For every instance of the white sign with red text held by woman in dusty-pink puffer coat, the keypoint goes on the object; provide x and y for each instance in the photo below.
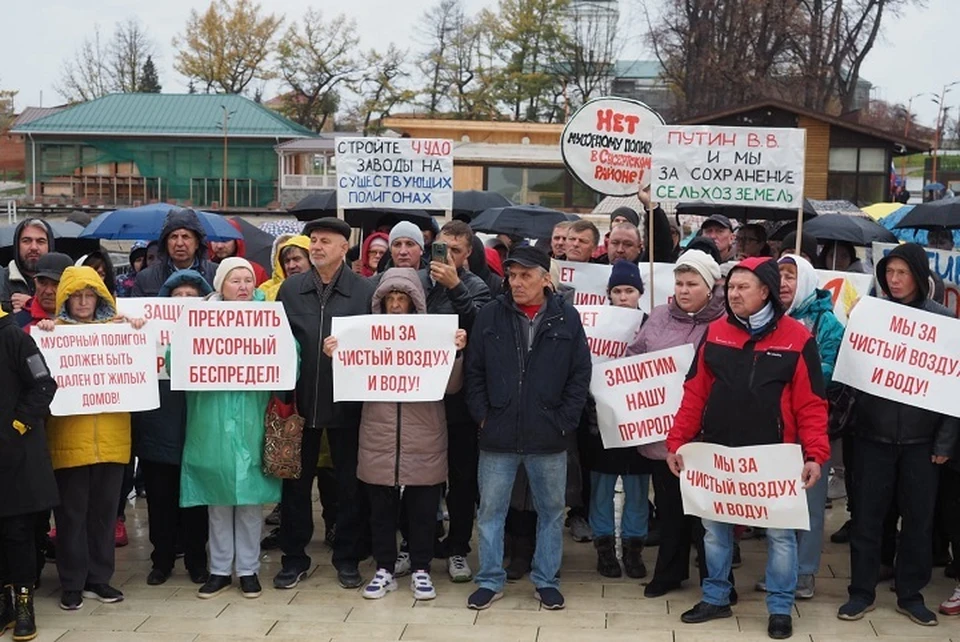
(393, 357)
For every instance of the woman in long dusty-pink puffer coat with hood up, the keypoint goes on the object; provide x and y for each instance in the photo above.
(403, 445)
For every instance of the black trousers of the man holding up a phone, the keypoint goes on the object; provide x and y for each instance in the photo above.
(463, 456)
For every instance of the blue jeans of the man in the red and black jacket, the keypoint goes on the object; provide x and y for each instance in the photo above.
(781, 577)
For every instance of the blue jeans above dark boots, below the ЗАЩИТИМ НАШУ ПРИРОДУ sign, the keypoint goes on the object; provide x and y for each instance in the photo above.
(636, 507)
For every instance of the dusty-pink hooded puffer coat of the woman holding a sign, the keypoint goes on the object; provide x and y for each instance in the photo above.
(405, 444)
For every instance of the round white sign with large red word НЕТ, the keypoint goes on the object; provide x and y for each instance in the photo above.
(606, 145)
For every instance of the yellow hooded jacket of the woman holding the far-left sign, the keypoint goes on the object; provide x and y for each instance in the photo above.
(83, 440)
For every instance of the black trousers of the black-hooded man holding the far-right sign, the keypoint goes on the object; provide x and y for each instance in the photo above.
(907, 474)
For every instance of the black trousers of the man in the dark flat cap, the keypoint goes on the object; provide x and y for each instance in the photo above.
(296, 506)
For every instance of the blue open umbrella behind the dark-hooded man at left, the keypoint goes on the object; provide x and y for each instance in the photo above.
(145, 222)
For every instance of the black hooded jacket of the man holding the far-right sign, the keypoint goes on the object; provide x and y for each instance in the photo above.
(890, 422)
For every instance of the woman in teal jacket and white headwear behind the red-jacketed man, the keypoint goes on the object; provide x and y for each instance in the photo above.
(814, 309)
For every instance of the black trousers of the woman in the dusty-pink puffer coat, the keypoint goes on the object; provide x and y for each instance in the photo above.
(421, 504)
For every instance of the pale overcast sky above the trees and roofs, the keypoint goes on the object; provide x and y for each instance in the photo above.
(916, 53)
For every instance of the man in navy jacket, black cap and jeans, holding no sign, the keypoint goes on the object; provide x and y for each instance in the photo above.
(528, 373)
